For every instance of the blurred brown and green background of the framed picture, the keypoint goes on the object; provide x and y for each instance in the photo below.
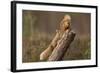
(39, 28)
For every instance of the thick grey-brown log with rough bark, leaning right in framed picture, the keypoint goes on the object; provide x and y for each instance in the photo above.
(62, 46)
